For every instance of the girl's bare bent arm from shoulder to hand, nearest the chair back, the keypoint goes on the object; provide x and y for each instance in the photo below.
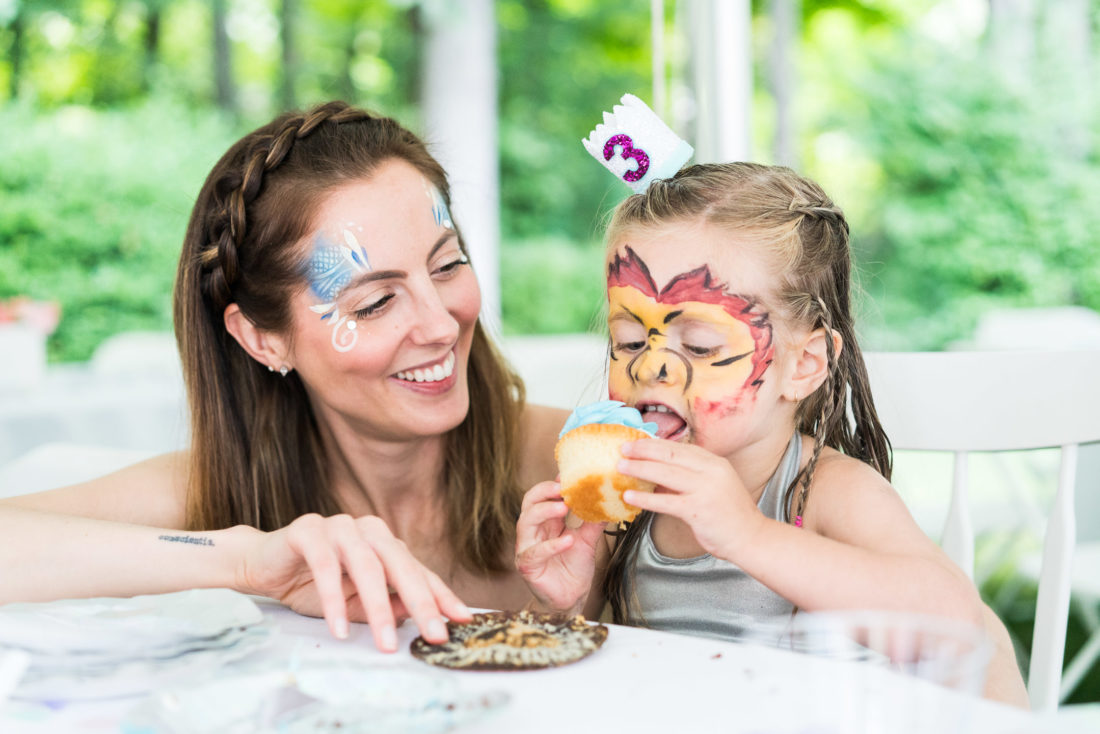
(860, 546)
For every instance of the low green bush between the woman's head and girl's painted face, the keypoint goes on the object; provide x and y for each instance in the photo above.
(552, 287)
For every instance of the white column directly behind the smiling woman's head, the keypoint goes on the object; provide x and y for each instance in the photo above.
(460, 115)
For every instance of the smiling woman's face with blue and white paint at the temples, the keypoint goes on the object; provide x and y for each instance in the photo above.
(381, 336)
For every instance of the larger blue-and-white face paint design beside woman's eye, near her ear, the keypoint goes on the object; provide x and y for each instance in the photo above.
(337, 260)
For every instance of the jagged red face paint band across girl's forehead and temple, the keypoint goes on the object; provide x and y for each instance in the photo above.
(699, 287)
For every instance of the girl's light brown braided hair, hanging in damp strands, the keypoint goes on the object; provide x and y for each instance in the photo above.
(806, 236)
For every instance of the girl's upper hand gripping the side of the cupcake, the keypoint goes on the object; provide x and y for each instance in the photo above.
(697, 487)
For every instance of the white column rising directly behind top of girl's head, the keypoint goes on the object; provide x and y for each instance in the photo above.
(722, 68)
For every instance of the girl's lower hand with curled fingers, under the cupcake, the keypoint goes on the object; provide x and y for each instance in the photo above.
(557, 562)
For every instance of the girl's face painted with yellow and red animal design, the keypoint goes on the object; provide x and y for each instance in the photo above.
(692, 338)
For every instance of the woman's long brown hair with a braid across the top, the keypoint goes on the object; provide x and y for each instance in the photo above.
(258, 457)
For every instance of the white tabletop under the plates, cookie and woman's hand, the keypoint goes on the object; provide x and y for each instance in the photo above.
(640, 682)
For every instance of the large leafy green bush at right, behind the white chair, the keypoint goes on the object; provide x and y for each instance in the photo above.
(982, 202)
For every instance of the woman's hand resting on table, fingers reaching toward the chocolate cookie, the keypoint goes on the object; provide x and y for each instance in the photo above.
(344, 568)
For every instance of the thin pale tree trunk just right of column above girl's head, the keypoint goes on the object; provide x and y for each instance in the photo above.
(782, 74)
